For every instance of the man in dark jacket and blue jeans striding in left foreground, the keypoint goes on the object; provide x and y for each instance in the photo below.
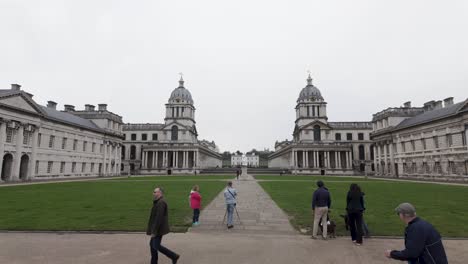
(158, 226)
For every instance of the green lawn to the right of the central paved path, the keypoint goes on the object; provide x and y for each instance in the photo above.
(444, 206)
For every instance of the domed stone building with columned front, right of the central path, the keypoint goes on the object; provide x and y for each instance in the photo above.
(322, 147)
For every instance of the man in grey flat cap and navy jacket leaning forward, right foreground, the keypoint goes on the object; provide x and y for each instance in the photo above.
(423, 243)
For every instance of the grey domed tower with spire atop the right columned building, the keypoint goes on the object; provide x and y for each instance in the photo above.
(310, 105)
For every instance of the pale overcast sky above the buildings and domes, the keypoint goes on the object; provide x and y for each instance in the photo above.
(244, 61)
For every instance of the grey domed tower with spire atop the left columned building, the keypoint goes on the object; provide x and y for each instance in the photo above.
(180, 107)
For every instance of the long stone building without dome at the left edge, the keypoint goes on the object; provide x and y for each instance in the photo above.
(40, 142)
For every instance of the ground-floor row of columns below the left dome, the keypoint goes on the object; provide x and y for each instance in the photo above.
(183, 159)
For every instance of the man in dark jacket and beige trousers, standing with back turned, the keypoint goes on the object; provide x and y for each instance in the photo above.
(321, 202)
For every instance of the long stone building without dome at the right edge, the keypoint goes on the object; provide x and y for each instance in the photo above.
(422, 142)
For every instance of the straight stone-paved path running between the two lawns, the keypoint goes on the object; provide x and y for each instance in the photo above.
(257, 212)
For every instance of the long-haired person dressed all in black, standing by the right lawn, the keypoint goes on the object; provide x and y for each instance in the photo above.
(355, 207)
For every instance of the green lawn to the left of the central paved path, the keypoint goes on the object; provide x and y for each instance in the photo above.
(120, 204)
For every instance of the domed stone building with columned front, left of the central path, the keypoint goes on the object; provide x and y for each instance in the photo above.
(172, 147)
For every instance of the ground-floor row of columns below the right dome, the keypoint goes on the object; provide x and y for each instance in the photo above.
(321, 159)
